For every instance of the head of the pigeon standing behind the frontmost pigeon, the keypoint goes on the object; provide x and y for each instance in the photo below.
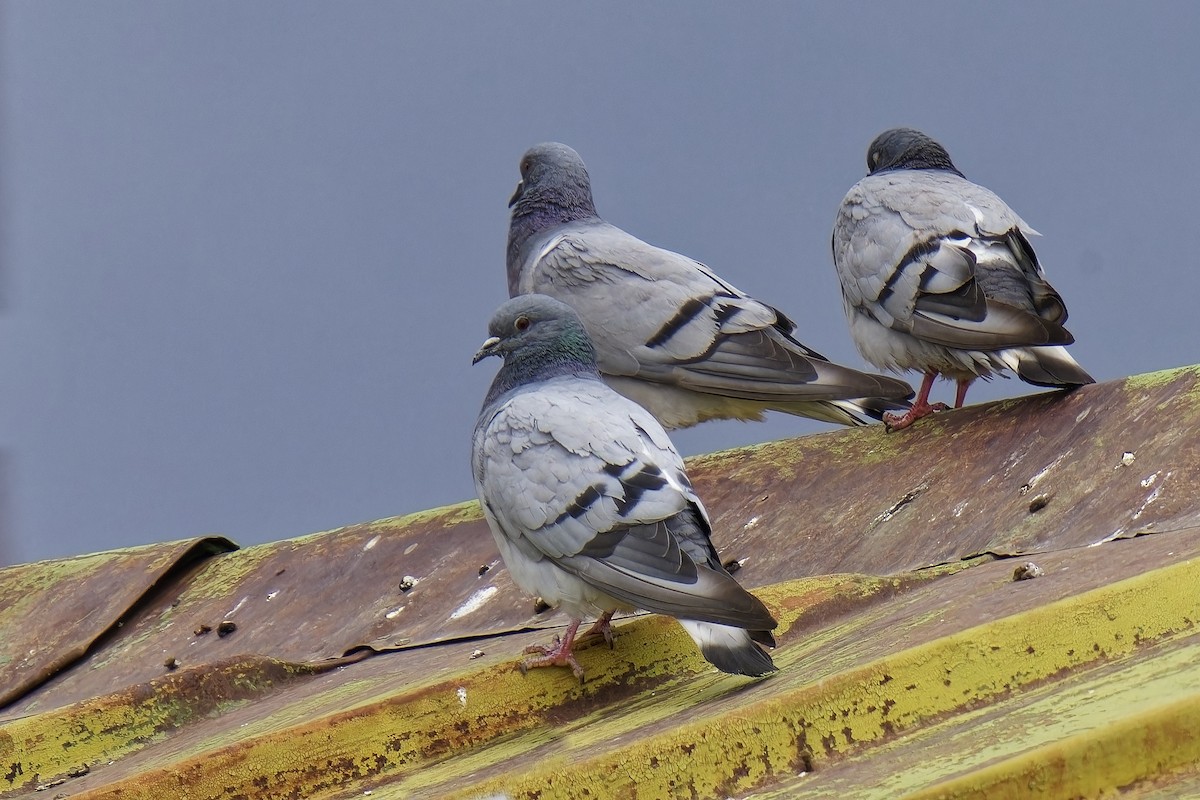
(554, 177)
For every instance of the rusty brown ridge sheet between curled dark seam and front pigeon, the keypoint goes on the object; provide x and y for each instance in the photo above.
(310, 600)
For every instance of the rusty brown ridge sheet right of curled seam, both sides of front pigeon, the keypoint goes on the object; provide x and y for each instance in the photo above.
(845, 502)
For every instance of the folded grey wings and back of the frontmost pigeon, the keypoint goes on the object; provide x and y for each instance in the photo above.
(591, 482)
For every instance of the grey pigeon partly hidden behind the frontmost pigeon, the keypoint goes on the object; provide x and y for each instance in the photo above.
(670, 334)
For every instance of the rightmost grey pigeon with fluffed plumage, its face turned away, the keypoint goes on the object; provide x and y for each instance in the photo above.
(938, 274)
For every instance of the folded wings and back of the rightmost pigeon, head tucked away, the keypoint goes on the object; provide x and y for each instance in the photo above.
(946, 261)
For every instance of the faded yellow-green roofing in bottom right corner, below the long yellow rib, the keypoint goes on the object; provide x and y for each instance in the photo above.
(969, 754)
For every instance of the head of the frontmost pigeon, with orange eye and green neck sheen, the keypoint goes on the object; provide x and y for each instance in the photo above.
(538, 338)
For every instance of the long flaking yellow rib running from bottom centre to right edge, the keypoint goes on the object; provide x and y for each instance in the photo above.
(783, 736)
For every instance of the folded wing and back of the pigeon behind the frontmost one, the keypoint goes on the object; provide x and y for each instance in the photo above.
(663, 317)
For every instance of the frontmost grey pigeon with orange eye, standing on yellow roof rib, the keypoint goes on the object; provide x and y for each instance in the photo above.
(589, 501)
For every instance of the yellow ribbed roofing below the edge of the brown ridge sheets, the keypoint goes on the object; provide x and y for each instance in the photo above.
(866, 663)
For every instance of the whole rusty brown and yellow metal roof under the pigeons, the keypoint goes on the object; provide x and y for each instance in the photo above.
(911, 663)
